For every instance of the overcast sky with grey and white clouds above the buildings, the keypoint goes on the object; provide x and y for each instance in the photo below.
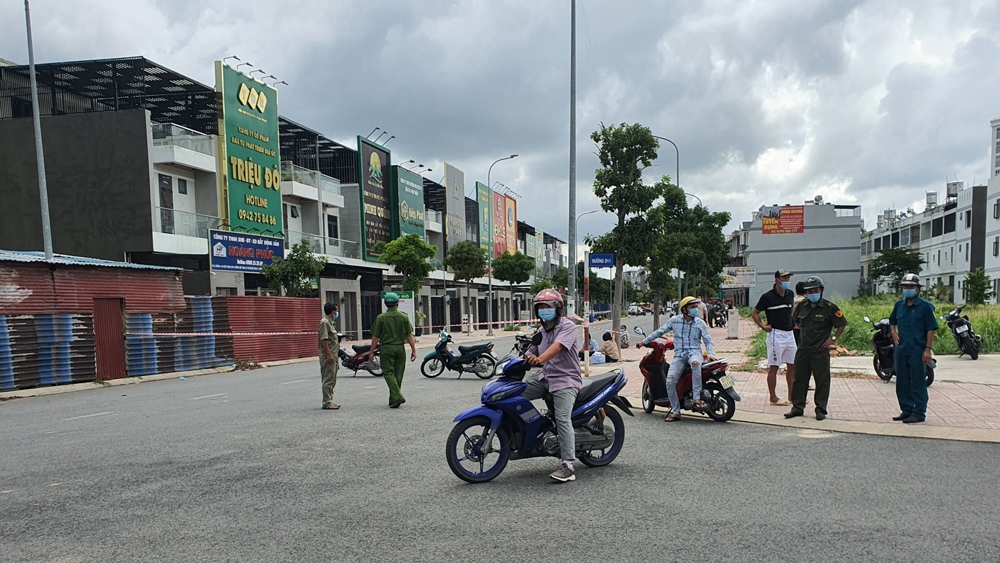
(770, 101)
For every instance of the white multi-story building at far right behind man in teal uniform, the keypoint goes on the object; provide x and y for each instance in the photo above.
(950, 236)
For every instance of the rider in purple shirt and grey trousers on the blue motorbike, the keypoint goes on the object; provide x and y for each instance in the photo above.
(560, 376)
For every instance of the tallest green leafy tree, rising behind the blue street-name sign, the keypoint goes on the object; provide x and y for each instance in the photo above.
(624, 152)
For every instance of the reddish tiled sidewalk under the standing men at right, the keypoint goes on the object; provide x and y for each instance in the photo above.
(964, 396)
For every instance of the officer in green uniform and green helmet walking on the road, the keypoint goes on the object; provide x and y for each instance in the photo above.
(394, 330)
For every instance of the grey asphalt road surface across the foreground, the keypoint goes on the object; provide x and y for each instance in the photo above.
(246, 467)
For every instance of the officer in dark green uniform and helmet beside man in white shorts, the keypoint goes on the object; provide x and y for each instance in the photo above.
(815, 318)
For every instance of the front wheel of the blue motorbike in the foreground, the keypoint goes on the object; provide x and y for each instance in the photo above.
(463, 451)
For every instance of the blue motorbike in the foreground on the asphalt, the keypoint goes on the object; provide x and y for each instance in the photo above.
(507, 426)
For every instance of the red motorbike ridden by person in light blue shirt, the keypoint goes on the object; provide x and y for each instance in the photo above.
(717, 391)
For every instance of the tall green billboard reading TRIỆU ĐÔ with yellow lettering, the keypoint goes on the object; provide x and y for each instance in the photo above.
(248, 152)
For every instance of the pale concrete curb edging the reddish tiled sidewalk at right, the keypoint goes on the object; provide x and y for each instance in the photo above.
(896, 430)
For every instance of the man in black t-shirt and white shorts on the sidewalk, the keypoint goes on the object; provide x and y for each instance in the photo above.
(777, 304)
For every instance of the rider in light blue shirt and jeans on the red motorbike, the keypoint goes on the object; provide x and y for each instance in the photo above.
(689, 333)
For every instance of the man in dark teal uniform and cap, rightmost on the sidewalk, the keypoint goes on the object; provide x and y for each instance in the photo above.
(912, 323)
